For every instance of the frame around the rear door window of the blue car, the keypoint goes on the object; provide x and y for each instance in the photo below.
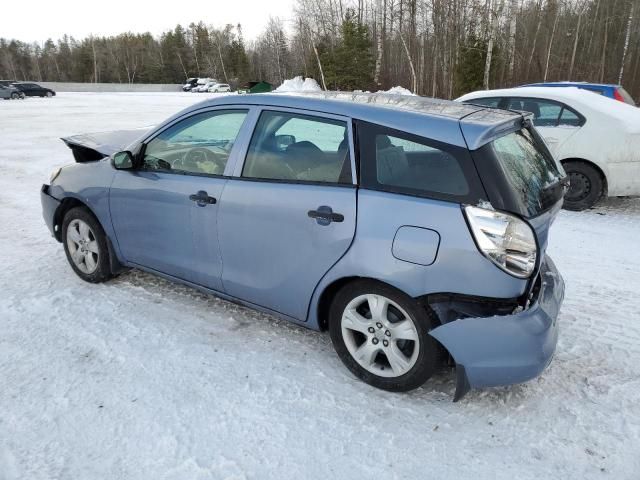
(251, 125)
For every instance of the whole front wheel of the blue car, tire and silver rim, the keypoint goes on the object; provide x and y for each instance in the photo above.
(85, 245)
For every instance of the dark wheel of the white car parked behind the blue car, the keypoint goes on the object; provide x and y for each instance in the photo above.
(587, 186)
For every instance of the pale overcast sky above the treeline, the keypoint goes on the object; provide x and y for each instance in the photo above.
(80, 18)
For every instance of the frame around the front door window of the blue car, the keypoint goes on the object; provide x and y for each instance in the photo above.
(233, 155)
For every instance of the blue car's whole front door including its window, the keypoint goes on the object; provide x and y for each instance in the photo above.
(165, 212)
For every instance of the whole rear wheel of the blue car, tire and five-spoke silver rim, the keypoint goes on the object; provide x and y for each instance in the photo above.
(382, 336)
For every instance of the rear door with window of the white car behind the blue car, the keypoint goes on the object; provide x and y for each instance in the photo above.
(555, 122)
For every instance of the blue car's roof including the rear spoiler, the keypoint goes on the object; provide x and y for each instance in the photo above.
(441, 120)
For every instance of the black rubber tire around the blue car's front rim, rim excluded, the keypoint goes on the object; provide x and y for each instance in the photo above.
(102, 271)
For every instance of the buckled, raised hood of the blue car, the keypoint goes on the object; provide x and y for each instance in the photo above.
(90, 147)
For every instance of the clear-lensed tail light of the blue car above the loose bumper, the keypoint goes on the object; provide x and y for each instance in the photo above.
(504, 239)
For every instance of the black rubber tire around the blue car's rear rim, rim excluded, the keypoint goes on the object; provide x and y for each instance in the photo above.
(428, 357)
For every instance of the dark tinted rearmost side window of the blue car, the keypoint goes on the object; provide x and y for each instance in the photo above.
(403, 163)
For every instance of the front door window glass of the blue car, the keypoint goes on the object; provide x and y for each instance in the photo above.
(200, 144)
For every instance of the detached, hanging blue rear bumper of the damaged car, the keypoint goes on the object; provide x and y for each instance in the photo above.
(506, 349)
